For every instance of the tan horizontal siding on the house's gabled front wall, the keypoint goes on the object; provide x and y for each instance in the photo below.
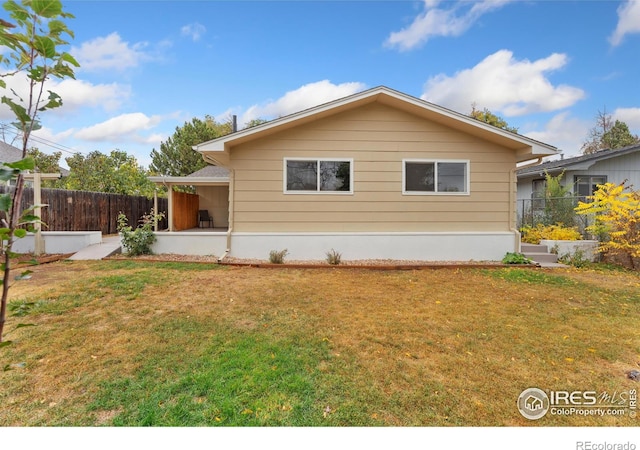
(377, 138)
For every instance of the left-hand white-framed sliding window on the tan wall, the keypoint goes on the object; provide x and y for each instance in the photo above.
(318, 176)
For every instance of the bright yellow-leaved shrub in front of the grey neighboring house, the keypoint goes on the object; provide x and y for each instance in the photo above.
(616, 209)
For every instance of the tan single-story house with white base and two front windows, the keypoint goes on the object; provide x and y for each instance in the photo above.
(376, 175)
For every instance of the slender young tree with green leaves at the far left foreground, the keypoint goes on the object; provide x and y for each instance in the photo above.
(32, 37)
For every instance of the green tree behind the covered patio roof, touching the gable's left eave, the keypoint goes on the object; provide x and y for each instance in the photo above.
(176, 156)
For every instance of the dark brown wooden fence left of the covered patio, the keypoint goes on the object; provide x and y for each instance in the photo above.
(90, 211)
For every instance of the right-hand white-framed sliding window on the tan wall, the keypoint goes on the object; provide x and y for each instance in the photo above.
(435, 177)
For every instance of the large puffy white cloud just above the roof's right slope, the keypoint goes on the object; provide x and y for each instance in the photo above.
(504, 84)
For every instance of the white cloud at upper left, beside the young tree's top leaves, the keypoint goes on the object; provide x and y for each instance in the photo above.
(109, 53)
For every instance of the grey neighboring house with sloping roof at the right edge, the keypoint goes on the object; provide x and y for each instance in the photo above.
(583, 173)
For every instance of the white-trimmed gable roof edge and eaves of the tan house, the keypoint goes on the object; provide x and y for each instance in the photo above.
(216, 151)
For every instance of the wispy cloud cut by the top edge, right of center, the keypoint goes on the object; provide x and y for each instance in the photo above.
(434, 21)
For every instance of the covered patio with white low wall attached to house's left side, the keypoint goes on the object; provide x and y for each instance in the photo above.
(186, 233)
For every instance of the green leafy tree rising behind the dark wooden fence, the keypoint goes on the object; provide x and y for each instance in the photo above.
(117, 173)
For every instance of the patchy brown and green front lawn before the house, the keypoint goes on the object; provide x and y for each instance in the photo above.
(131, 343)
